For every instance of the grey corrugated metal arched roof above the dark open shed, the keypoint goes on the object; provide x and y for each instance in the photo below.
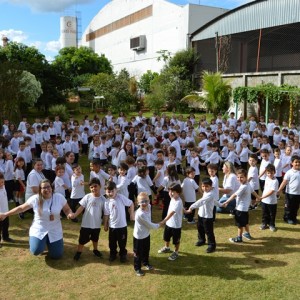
(255, 15)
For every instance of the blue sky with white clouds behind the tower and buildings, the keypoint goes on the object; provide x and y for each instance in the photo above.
(36, 22)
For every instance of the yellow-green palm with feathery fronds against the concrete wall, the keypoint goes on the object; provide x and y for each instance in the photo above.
(218, 92)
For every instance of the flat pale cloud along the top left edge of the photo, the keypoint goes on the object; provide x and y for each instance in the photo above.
(49, 5)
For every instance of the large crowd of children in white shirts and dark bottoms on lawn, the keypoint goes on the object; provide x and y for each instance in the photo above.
(144, 157)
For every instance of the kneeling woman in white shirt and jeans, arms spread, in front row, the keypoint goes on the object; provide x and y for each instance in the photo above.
(46, 228)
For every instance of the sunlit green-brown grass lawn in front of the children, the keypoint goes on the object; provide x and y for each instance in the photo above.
(267, 267)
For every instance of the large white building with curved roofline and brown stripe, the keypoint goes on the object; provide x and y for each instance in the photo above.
(131, 32)
